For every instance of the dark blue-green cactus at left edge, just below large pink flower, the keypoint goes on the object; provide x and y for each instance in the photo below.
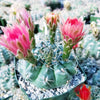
(5, 56)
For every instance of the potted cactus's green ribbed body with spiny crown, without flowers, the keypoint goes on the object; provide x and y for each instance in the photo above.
(51, 71)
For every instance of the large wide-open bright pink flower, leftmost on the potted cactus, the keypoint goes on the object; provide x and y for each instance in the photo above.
(16, 38)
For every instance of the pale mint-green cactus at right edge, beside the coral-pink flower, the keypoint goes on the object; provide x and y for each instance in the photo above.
(92, 46)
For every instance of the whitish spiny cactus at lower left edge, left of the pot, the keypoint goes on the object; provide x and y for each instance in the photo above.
(7, 77)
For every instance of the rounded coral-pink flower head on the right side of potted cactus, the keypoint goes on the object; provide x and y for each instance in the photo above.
(72, 29)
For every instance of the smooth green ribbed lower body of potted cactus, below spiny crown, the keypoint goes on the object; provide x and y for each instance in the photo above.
(47, 77)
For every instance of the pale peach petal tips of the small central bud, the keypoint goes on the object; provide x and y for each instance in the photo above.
(52, 17)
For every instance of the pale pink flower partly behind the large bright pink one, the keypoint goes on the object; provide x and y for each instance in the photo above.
(23, 15)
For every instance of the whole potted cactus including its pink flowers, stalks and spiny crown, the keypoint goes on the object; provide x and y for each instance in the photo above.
(43, 65)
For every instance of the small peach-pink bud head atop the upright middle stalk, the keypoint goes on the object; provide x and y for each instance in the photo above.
(52, 19)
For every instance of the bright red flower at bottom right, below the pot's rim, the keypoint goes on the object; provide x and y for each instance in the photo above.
(84, 93)
